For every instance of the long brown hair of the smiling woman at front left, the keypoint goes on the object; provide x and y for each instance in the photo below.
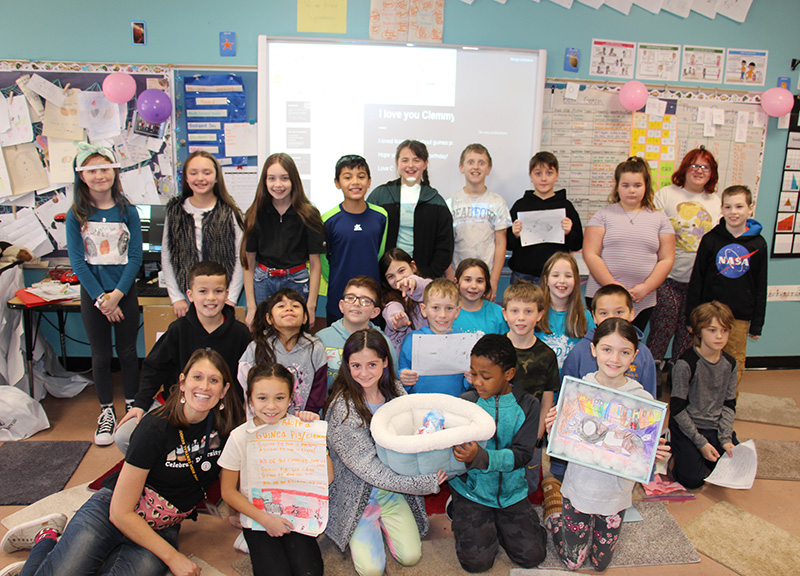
(225, 419)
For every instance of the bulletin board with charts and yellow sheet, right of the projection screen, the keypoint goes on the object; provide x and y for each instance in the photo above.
(591, 134)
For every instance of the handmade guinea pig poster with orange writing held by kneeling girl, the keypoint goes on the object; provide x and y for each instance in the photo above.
(287, 473)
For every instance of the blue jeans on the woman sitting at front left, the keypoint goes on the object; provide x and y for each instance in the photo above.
(91, 544)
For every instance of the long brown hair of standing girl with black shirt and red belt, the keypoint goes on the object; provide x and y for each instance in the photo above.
(305, 209)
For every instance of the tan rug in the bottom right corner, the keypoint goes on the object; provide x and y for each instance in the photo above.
(743, 542)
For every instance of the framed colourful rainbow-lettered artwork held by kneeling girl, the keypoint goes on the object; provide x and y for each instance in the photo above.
(602, 428)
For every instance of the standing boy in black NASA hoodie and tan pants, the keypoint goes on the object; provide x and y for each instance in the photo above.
(731, 267)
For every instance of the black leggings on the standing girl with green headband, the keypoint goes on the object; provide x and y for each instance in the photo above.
(126, 333)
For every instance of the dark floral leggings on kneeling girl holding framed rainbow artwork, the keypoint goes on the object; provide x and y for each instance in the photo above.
(572, 531)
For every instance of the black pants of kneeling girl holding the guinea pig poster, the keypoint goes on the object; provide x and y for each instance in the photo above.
(292, 554)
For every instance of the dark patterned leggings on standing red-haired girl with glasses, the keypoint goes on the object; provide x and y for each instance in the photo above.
(669, 319)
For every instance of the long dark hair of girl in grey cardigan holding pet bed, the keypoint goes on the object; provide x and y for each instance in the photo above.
(349, 390)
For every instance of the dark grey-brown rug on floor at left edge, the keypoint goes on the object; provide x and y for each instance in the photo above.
(29, 471)
